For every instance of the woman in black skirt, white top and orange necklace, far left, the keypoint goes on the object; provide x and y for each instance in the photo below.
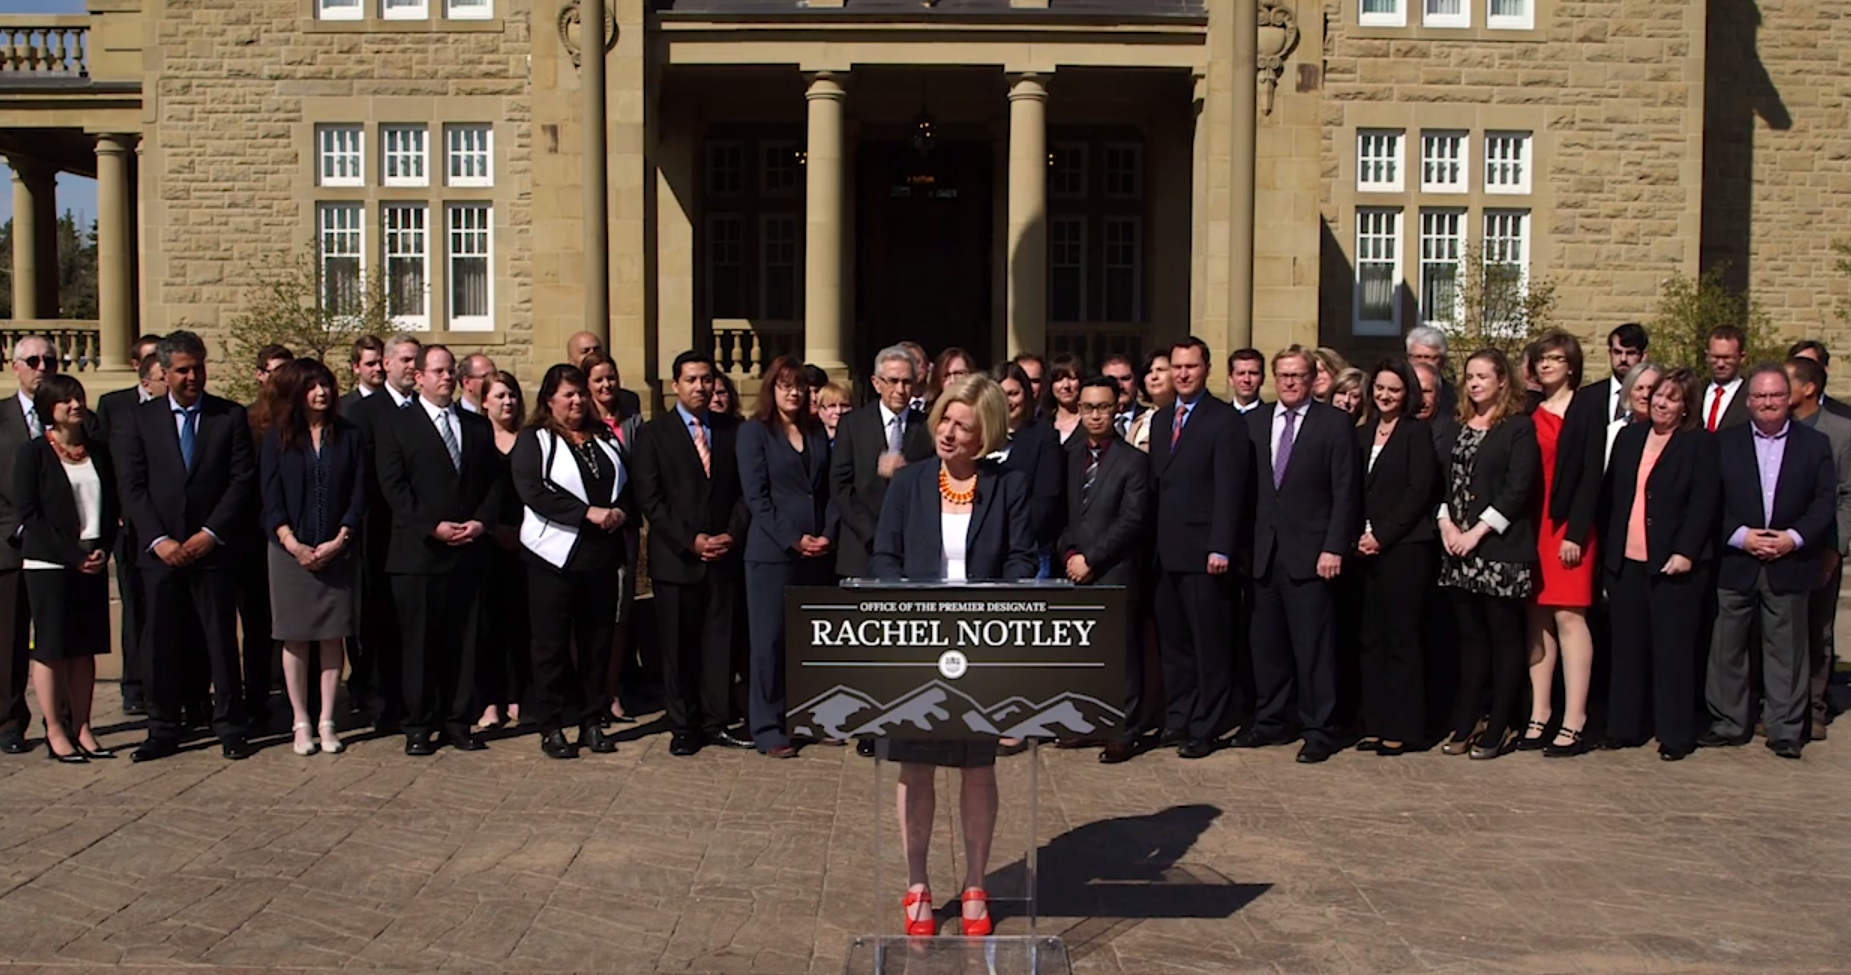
(68, 504)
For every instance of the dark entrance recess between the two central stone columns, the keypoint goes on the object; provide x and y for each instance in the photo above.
(923, 247)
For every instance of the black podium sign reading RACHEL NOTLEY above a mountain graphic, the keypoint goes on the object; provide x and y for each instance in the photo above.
(956, 661)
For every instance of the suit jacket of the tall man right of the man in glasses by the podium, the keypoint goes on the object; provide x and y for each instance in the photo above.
(1202, 487)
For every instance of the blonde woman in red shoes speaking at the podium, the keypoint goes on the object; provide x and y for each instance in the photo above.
(962, 519)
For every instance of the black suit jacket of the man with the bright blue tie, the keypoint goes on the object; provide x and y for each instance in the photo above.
(166, 499)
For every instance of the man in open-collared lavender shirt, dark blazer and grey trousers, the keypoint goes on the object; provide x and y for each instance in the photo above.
(1778, 525)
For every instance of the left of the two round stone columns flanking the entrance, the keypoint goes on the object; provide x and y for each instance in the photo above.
(826, 341)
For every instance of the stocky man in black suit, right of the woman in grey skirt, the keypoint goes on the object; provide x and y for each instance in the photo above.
(443, 480)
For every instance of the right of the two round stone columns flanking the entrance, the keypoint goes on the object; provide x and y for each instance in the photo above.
(1028, 214)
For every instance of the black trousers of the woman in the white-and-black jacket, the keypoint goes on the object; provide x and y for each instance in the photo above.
(565, 608)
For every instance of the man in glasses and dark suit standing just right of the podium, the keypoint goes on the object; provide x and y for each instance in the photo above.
(1108, 517)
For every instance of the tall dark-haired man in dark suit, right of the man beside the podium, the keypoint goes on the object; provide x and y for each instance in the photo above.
(1204, 469)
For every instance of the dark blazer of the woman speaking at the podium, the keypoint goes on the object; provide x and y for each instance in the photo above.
(910, 541)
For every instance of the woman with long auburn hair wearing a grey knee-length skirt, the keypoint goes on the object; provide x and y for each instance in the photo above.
(314, 476)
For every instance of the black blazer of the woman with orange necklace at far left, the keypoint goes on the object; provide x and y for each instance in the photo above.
(49, 519)
